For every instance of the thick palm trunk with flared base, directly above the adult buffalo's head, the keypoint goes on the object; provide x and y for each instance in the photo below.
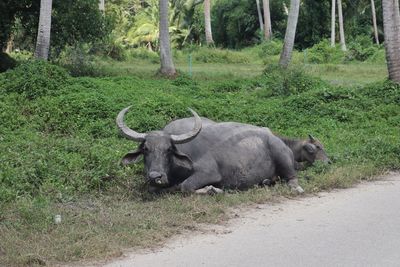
(167, 65)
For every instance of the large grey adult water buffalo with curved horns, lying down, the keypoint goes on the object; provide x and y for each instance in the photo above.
(224, 155)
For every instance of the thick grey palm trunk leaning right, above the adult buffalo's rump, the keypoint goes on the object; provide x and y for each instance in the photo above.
(290, 34)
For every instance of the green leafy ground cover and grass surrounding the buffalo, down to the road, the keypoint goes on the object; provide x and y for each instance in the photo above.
(60, 148)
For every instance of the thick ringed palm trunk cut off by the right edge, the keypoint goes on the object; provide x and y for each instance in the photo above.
(391, 28)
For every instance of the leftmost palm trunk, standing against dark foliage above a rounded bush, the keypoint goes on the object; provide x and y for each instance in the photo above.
(43, 37)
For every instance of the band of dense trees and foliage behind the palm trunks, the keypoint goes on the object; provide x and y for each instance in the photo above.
(134, 23)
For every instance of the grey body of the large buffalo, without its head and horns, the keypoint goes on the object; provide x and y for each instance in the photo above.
(234, 155)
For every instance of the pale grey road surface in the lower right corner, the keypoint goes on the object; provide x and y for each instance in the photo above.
(352, 227)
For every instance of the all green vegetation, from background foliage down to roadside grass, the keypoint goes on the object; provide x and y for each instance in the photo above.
(61, 151)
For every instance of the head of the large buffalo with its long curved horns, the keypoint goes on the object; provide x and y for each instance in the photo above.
(162, 159)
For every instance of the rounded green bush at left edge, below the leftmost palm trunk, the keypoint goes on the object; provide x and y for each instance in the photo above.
(34, 79)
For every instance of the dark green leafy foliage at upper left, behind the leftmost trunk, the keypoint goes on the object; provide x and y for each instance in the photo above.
(72, 23)
